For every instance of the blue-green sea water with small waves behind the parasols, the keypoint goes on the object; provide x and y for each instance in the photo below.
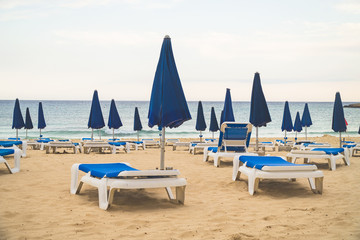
(68, 119)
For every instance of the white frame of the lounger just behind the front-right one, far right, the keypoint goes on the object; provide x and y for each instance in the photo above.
(308, 154)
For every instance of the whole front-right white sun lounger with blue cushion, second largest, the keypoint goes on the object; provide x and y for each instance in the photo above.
(272, 167)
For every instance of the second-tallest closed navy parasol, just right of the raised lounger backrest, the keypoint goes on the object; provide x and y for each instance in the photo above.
(259, 112)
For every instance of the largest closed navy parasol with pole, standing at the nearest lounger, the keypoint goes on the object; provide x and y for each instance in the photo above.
(168, 106)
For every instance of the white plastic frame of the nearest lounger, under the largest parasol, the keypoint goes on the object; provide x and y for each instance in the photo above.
(132, 180)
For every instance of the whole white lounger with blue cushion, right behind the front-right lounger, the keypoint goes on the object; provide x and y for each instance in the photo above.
(332, 154)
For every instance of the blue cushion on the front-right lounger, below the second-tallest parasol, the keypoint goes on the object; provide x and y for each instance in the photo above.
(259, 162)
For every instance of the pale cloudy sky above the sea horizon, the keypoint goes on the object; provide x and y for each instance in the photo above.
(304, 50)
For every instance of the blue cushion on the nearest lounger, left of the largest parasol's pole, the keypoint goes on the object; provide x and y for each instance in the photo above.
(105, 169)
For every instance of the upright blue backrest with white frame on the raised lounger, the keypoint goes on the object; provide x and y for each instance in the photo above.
(235, 136)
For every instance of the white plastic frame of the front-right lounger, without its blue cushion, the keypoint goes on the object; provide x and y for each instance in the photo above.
(314, 176)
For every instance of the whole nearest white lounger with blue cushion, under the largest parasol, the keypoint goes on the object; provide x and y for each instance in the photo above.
(116, 176)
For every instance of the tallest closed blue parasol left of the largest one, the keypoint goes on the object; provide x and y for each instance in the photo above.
(96, 119)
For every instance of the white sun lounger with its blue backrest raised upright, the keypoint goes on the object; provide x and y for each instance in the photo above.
(234, 140)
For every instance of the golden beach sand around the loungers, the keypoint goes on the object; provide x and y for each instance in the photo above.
(36, 202)
